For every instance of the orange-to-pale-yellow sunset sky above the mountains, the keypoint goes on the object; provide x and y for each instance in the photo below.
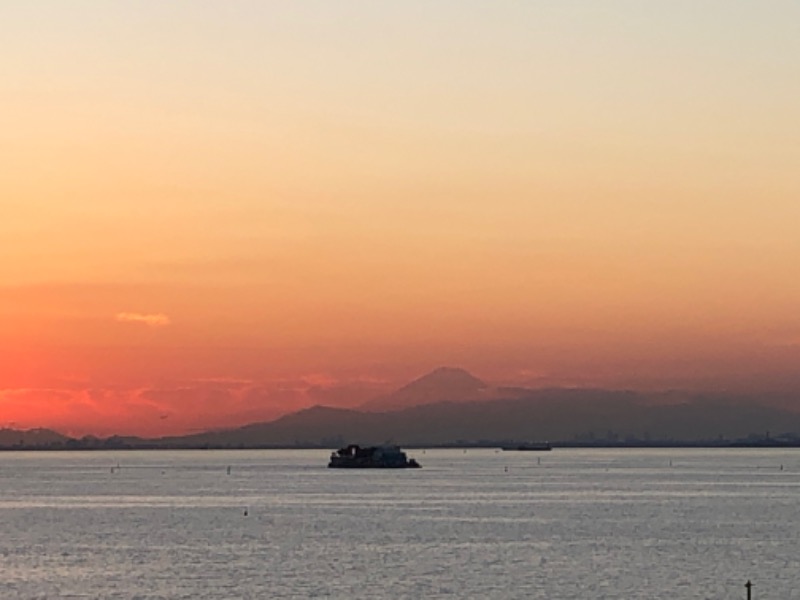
(214, 213)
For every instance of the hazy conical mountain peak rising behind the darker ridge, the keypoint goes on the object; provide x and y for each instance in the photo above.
(445, 384)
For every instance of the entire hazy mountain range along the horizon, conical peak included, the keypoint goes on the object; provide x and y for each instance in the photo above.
(449, 406)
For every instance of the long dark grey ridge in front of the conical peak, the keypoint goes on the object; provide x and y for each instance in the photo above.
(558, 415)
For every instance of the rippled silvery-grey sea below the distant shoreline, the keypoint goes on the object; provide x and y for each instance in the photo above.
(475, 523)
